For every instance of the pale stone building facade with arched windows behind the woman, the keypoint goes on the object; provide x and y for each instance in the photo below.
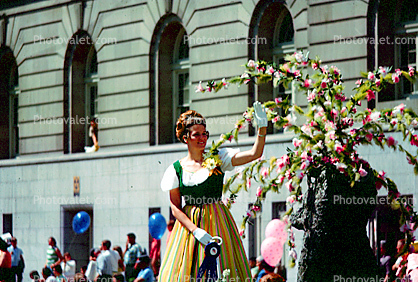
(133, 65)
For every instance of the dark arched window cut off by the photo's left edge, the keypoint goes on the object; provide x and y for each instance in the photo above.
(9, 105)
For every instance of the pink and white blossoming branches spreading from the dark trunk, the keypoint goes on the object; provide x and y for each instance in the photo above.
(333, 129)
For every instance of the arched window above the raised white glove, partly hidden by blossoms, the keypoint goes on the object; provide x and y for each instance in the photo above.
(272, 33)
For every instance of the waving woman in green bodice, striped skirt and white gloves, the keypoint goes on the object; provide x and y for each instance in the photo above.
(204, 214)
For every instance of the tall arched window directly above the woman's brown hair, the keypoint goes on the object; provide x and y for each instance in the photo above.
(169, 78)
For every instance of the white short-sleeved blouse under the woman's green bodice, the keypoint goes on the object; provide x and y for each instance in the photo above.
(170, 180)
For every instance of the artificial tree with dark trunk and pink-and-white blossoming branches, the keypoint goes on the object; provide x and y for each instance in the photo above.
(324, 152)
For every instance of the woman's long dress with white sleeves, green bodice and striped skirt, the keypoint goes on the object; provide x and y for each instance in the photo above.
(202, 194)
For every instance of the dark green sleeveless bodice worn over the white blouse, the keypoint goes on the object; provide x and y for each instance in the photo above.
(207, 192)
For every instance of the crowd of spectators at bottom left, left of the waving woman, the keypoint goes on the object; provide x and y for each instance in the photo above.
(106, 264)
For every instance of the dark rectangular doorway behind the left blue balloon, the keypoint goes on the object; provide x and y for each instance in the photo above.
(78, 245)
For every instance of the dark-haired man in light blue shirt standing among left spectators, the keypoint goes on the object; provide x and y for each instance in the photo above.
(132, 252)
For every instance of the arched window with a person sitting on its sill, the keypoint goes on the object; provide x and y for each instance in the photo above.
(80, 92)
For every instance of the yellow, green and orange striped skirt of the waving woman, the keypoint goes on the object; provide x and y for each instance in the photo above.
(184, 254)
